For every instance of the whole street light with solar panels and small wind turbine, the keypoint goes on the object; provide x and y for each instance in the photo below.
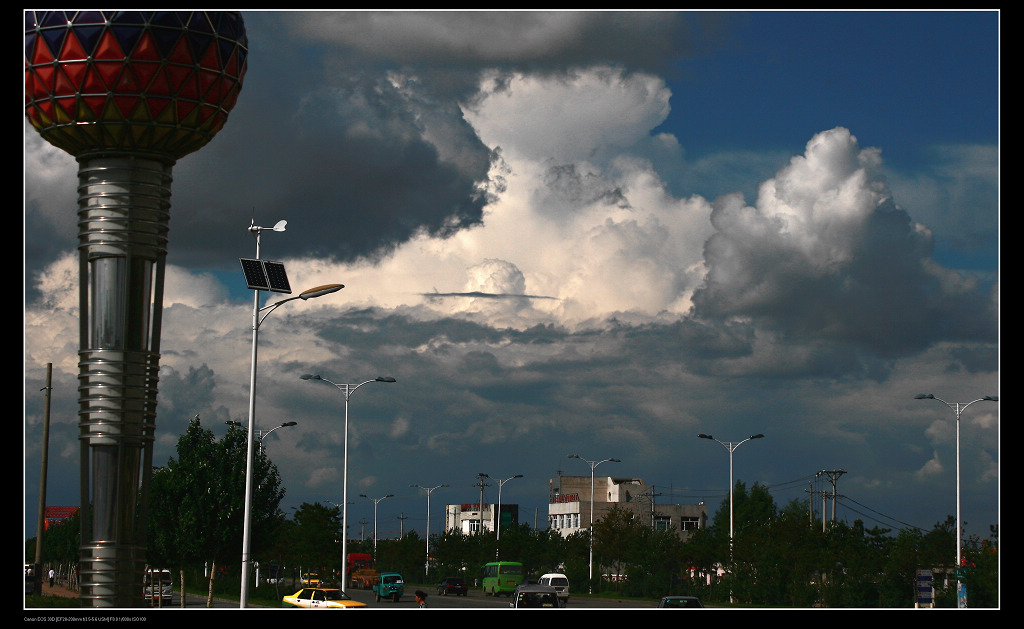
(264, 276)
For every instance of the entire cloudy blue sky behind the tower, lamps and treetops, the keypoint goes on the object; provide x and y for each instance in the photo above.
(595, 234)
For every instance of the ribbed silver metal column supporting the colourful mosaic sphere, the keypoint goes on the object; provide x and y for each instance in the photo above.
(124, 204)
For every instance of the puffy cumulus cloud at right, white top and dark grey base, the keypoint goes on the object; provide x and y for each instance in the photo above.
(827, 254)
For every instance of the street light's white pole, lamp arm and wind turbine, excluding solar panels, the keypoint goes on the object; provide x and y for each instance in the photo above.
(258, 320)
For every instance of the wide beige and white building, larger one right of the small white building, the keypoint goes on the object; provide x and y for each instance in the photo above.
(570, 506)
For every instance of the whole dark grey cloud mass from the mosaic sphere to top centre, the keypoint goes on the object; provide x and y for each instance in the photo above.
(359, 159)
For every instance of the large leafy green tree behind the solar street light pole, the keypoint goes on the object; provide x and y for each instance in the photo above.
(198, 501)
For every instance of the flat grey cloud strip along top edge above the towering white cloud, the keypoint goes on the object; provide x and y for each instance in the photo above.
(464, 43)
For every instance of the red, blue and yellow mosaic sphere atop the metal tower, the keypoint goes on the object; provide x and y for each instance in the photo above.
(159, 82)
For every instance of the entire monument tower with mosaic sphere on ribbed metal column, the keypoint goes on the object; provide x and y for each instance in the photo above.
(127, 94)
